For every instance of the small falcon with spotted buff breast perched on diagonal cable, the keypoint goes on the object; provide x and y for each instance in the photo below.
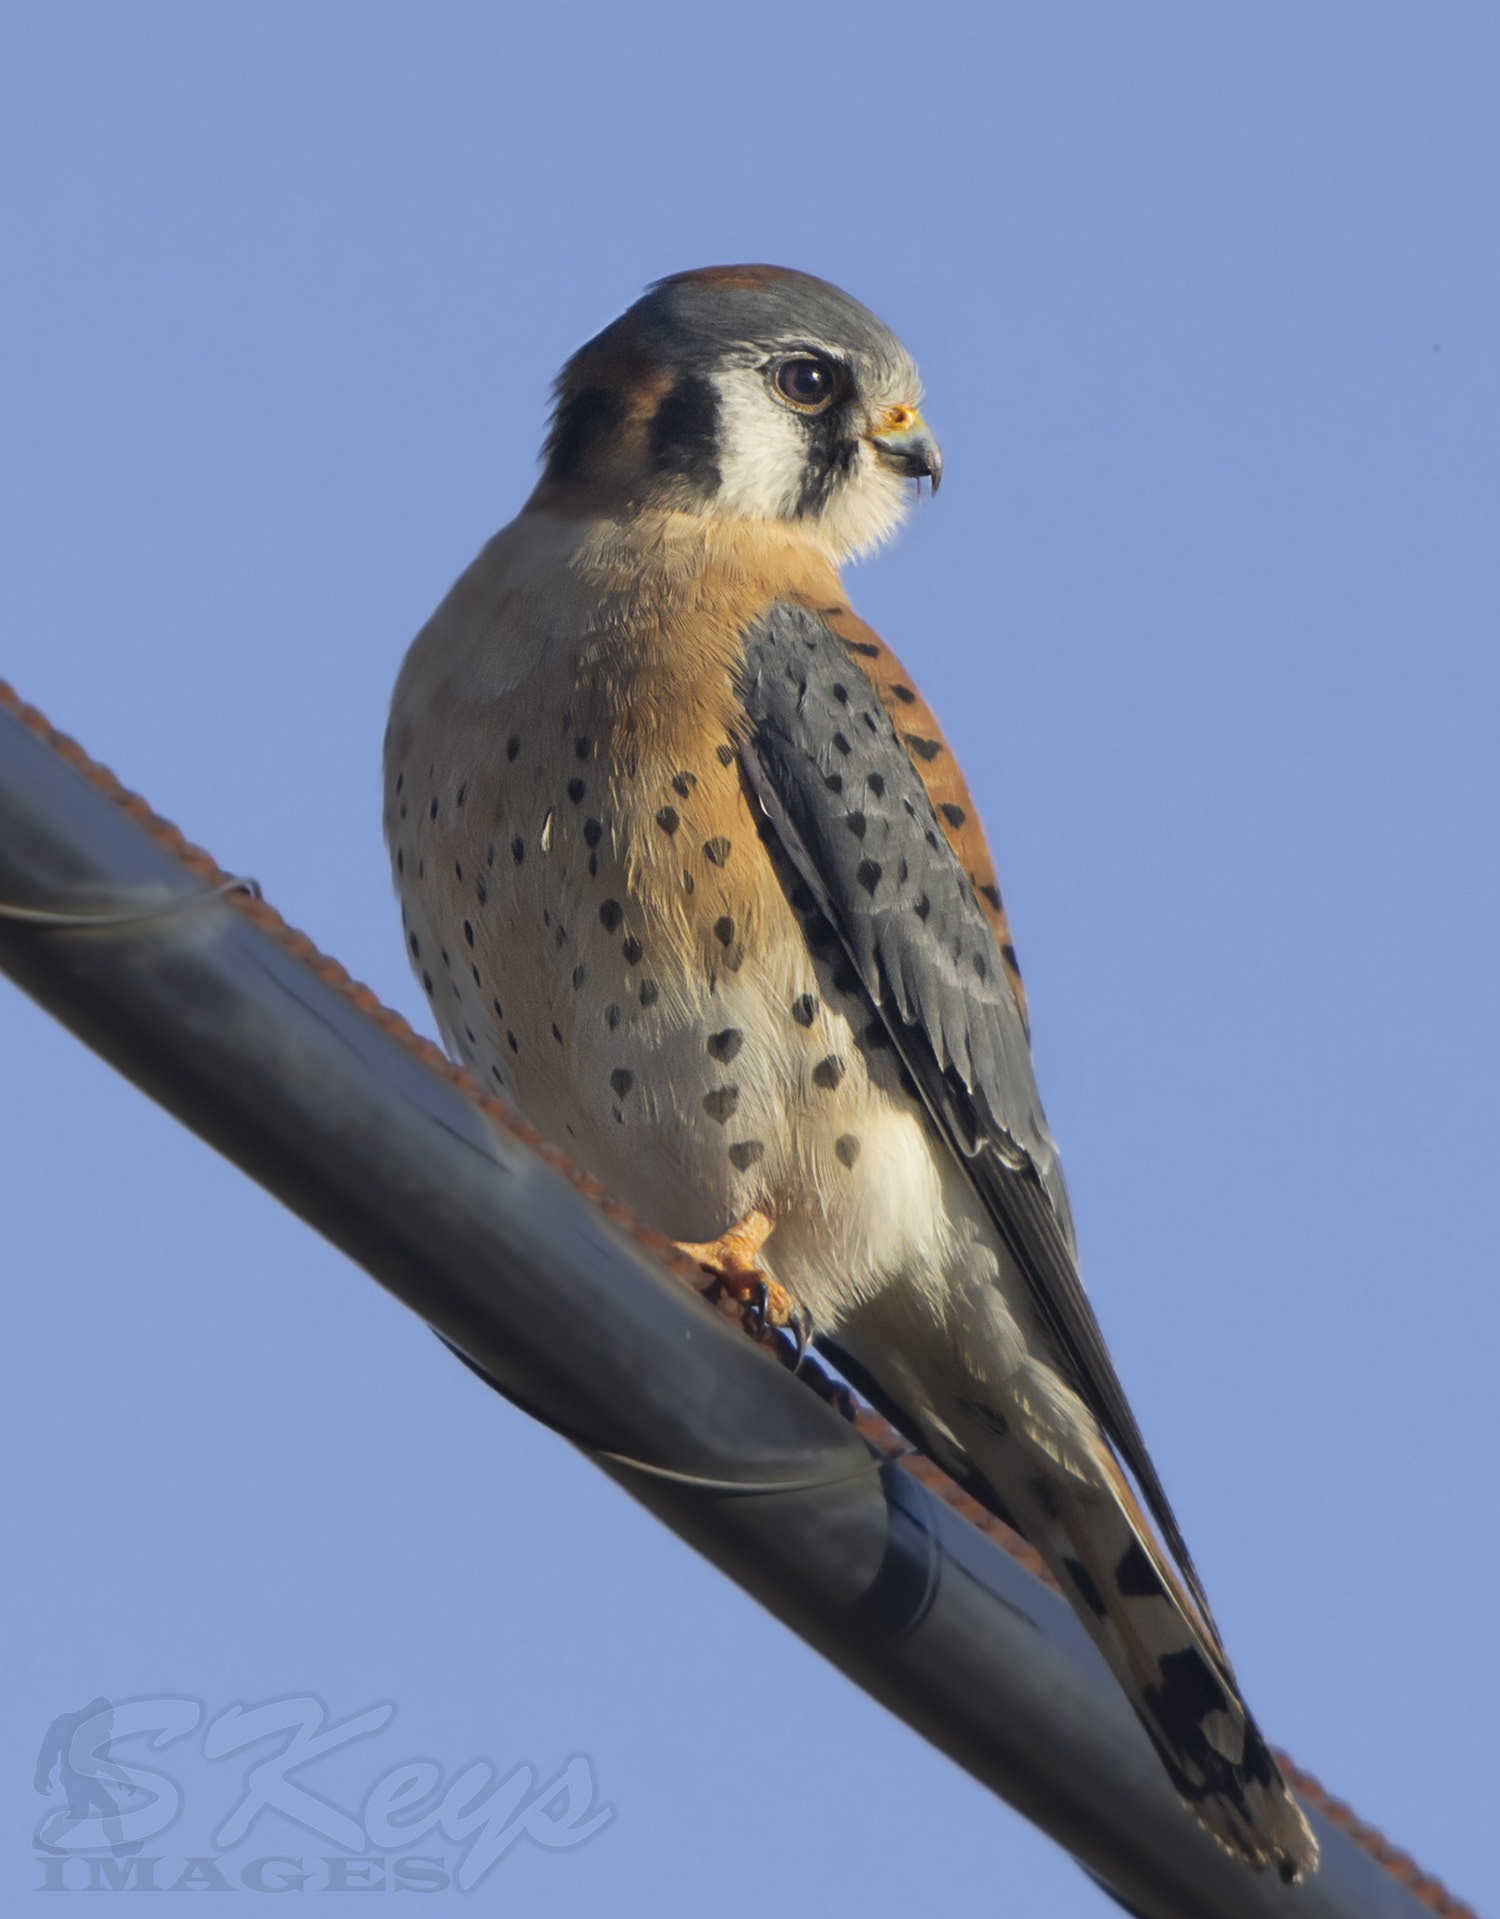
(690, 874)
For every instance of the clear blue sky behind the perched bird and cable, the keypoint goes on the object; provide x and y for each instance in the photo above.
(1209, 312)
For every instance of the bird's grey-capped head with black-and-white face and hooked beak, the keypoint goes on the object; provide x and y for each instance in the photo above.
(745, 394)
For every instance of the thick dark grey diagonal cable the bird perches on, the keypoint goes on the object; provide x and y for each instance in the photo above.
(229, 1020)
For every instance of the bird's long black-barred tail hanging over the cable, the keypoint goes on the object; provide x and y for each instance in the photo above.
(1161, 1647)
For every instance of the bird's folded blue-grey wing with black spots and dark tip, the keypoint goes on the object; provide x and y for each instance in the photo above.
(855, 820)
